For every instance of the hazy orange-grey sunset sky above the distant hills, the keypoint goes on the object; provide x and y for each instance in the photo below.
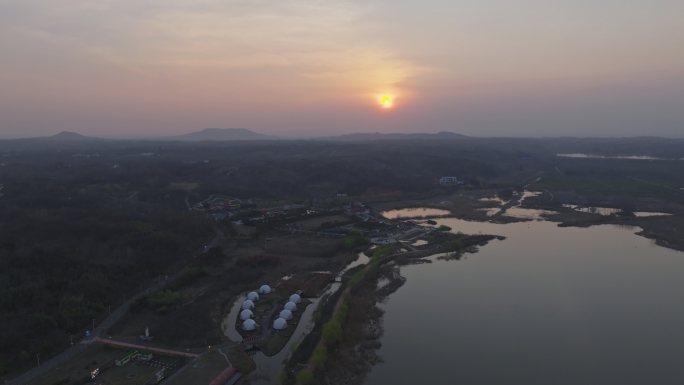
(309, 68)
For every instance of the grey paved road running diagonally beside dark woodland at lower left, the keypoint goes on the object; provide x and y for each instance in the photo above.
(36, 372)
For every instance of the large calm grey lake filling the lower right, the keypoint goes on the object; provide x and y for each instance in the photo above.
(548, 305)
